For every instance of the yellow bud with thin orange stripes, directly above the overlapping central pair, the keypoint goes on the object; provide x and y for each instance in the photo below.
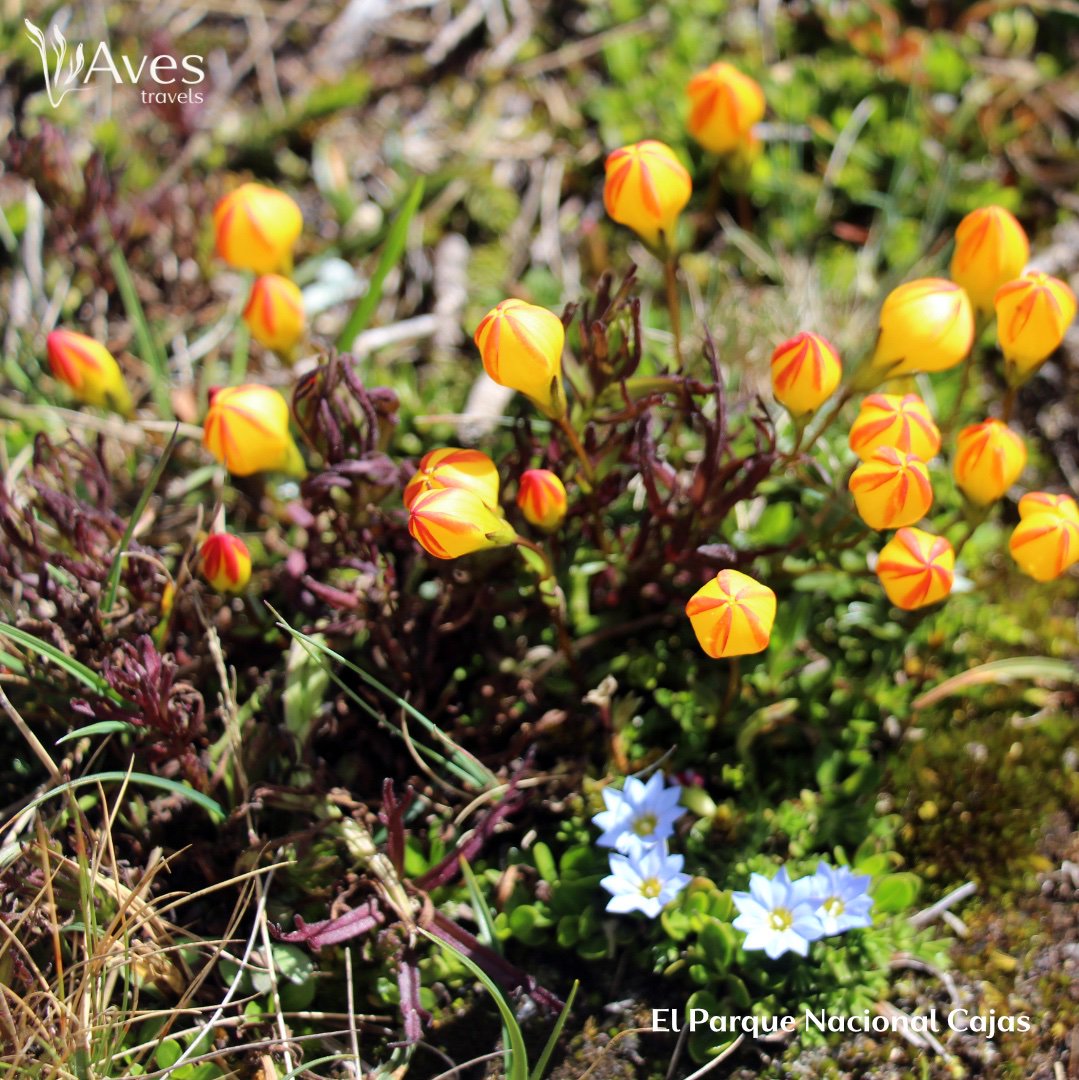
(522, 346)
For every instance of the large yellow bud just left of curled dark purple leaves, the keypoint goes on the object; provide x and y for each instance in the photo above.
(247, 429)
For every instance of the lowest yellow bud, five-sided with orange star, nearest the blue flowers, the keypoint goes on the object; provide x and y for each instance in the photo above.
(733, 615)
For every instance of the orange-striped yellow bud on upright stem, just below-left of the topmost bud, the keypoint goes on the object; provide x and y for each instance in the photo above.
(646, 190)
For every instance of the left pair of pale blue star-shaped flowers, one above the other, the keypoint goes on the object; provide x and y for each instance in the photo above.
(638, 825)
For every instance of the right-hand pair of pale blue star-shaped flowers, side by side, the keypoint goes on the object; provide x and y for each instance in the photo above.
(784, 916)
